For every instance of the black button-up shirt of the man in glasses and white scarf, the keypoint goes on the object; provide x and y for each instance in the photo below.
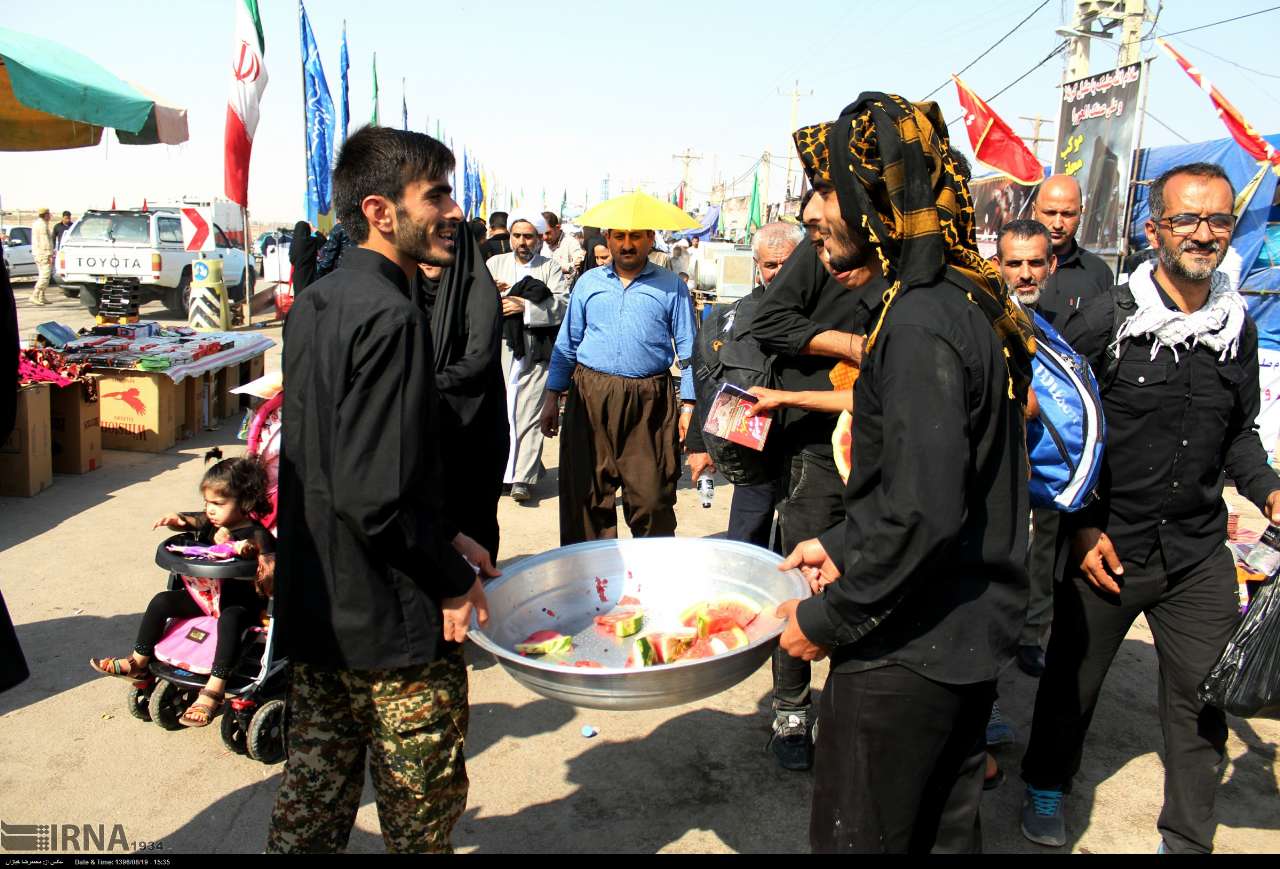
(1173, 428)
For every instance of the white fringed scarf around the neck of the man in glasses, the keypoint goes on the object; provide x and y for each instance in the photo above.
(1218, 326)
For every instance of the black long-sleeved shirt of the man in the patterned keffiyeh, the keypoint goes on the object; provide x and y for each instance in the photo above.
(934, 547)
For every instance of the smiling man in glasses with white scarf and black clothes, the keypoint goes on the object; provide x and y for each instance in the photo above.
(1177, 358)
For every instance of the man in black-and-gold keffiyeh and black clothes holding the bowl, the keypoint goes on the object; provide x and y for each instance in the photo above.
(924, 587)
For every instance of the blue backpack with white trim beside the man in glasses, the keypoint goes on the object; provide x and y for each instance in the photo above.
(1066, 442)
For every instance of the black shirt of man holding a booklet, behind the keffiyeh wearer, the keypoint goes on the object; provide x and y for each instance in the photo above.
(803, 301)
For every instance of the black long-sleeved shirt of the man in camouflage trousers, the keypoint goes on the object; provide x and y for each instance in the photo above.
(365, 550)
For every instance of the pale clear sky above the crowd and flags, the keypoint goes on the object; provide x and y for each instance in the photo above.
(556, 97)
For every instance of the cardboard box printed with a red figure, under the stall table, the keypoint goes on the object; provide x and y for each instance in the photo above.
(138, 411)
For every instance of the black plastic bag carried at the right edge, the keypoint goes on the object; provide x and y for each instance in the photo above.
(1246, 680)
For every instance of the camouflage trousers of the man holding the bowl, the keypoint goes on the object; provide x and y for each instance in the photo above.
(412, 721)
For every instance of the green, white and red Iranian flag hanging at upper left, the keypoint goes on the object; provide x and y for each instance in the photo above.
(249, 81)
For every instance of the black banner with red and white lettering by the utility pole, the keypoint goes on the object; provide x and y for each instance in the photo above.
(1095, 144)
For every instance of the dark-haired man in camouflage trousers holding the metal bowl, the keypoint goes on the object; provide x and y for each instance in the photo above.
(374, 592)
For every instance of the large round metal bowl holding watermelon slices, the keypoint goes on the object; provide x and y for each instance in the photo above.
(566, 589)
